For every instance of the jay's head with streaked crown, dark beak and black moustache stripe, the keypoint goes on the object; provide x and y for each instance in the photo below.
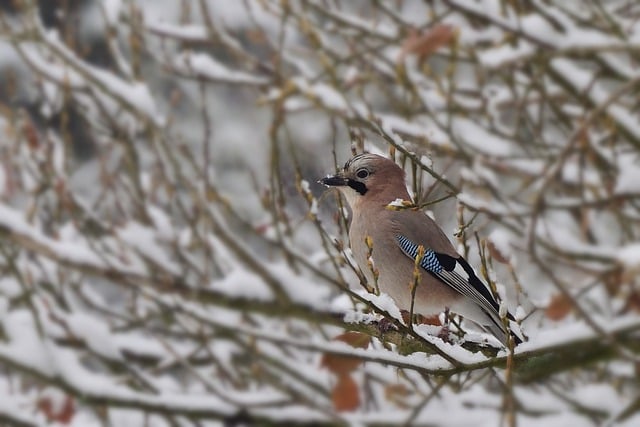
(369, 177)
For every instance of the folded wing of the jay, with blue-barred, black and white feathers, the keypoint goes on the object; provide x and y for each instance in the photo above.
(413, 229)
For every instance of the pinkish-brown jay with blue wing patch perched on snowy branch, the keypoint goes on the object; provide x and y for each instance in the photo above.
(393, 238)
